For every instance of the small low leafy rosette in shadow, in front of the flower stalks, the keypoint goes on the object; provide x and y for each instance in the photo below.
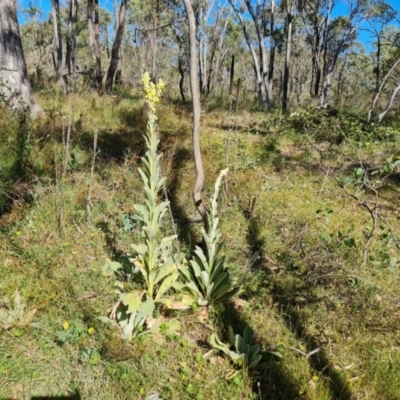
(245, 353)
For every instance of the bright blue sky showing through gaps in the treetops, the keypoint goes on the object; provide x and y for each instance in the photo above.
(45, 6)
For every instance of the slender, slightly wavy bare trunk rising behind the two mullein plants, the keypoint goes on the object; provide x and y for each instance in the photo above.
(196, 114)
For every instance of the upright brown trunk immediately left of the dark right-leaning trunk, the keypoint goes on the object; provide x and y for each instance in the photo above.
(94, 41)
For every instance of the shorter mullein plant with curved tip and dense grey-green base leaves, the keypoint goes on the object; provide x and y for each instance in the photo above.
(206, 278)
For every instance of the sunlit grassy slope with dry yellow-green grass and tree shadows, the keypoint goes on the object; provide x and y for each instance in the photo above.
(293, 237)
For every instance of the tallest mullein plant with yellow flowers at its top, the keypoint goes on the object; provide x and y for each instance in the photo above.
(154, 257)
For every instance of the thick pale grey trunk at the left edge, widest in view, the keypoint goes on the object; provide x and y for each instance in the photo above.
(15, 89)
